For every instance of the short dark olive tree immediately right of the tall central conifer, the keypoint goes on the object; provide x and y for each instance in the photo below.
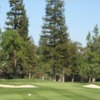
(73, 59)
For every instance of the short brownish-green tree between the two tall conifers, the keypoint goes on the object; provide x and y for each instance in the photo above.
(30, 53)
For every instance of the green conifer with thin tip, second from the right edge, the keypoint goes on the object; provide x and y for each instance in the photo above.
(85, 68)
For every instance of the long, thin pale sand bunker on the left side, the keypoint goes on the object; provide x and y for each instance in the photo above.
(17, 86)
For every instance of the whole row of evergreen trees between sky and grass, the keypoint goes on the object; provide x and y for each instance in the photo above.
(56, 57)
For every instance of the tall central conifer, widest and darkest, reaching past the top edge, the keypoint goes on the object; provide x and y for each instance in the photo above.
(54, 37)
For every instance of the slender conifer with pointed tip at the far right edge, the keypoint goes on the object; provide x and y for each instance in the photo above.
(95, 48)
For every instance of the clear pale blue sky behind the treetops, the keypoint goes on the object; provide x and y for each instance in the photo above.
(81, 17)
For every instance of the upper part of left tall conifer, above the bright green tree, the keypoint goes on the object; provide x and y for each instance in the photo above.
(17, 18)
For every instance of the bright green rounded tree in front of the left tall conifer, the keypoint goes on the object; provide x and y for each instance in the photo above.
(12, 50)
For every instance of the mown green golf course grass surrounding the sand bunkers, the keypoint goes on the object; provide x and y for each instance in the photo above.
(48, 91)
